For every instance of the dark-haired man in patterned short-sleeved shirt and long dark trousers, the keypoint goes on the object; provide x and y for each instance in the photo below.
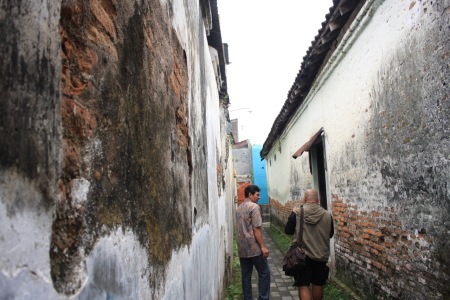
(251, 248)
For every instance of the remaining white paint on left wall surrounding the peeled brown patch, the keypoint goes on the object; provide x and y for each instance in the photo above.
(195, 271)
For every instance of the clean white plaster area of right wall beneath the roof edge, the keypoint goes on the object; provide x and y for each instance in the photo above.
(340, 101)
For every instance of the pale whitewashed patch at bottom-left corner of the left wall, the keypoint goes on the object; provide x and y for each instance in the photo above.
(25, 241)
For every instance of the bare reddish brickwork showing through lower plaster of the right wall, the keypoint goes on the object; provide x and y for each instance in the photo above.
(375, 242)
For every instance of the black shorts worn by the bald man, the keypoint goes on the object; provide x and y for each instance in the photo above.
(315, 272)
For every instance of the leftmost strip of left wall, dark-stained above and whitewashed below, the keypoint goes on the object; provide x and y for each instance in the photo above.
(31, 144)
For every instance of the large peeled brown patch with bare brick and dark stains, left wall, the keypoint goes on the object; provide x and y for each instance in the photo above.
(126, 130)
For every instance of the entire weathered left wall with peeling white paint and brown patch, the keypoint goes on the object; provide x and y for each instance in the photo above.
(114, 170)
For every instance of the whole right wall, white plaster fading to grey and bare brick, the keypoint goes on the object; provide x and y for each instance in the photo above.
(383, 103)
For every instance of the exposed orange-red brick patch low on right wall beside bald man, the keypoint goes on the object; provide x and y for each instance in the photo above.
(374, 247)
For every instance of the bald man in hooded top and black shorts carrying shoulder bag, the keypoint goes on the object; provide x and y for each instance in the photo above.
(318, 229)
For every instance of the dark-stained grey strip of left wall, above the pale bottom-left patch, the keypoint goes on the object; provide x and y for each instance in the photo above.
(29, 85)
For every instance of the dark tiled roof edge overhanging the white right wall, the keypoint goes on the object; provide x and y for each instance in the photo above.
(337, 21)
